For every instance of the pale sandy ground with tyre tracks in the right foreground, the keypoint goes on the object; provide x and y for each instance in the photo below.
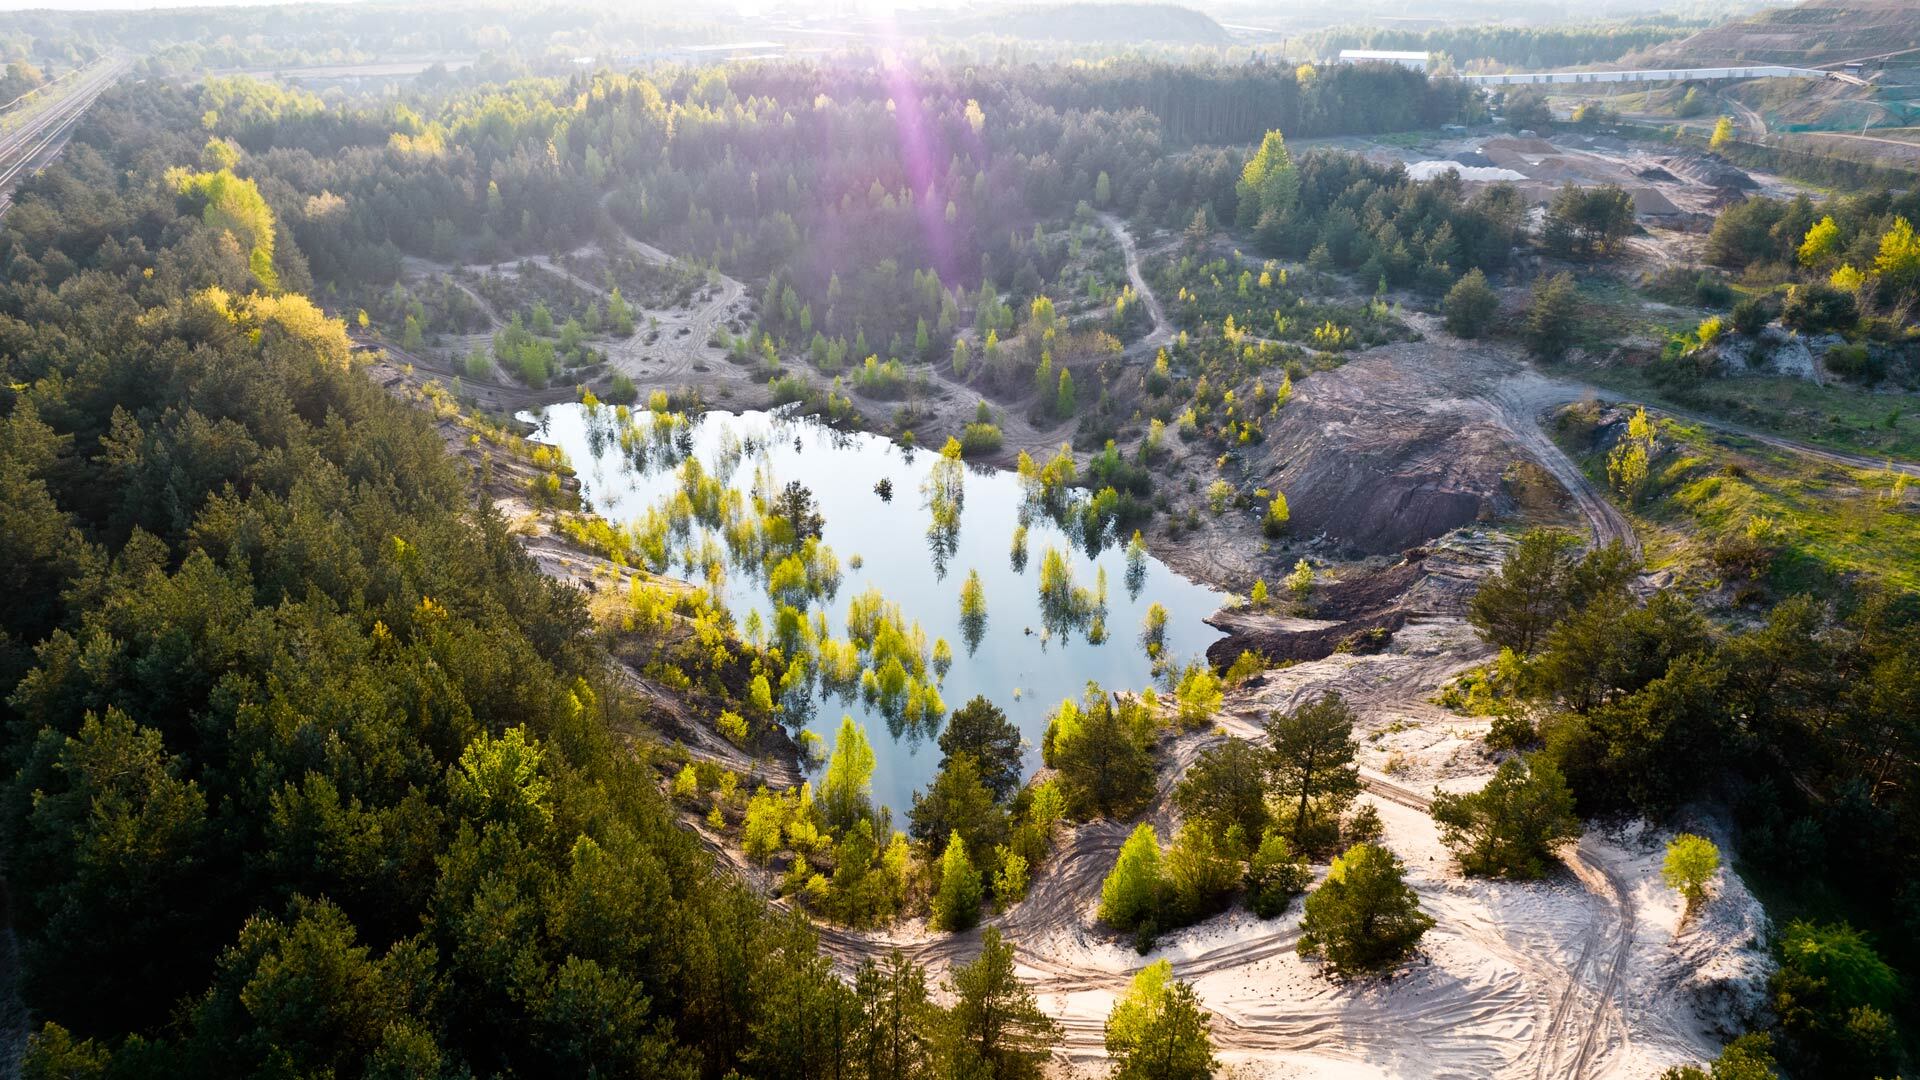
(1583, 975)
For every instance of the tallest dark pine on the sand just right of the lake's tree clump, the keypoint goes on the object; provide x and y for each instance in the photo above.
(1310, 756)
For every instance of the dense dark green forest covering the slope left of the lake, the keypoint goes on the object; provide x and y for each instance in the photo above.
(262, 635)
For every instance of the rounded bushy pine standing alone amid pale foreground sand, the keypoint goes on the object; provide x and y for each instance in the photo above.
(1364, 918)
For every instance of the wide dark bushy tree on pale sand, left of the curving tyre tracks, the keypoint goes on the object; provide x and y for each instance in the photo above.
(1510, 827)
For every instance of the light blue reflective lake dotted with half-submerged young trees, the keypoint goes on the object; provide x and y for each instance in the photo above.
(1026, 658)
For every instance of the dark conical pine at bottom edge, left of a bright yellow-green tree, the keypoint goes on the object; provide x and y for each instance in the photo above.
(996, 1029)
